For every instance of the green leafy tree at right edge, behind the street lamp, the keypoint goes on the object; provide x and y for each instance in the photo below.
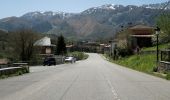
(163, 22)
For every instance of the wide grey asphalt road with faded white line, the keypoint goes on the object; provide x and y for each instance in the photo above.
(91, 79)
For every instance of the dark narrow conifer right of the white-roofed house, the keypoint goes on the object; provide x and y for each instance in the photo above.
(61, 46)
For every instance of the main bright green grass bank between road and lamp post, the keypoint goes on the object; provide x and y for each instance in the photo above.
(144, 63)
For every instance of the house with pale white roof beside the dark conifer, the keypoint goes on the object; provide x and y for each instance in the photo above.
(44, 46)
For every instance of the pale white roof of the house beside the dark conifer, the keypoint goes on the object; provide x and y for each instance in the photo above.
(46, 41)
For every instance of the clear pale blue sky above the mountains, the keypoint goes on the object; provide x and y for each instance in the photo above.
(17, 8)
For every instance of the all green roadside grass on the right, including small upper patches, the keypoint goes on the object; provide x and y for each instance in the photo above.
(143, 62)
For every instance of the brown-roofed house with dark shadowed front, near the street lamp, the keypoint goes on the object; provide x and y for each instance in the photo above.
(141, 36)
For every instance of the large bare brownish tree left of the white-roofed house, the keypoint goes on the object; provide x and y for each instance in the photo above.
(22, 43)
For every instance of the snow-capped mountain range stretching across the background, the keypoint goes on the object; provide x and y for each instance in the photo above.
(94, 23)
